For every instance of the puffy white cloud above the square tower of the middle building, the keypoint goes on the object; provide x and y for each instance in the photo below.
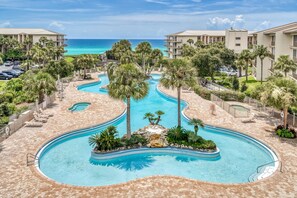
(225, 23)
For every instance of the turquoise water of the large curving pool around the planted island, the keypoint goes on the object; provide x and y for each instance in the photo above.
(68, 161)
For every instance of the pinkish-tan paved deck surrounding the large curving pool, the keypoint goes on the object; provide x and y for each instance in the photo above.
(18, 180)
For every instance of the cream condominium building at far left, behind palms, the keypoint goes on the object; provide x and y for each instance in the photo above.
(21, 34)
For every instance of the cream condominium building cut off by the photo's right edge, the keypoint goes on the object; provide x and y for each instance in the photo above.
(281, 40)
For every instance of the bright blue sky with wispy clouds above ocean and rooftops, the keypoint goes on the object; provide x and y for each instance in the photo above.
(144, 18)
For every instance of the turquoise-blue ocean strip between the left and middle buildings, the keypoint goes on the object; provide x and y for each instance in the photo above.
(99, 46)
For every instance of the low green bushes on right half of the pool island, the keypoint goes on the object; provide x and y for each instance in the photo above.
(181, 136)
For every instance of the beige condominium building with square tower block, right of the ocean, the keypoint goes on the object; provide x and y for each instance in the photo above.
(236, 40)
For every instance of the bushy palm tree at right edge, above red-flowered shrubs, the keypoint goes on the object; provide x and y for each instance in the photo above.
(280, 93)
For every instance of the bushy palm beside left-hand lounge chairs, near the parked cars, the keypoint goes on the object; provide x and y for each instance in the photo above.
(40, 84)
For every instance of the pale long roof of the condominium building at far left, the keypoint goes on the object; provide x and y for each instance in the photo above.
(14, 31)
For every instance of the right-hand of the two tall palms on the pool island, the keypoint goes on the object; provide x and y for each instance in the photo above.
(178, 74)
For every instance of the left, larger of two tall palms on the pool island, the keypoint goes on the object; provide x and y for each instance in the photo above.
(128, 82)
